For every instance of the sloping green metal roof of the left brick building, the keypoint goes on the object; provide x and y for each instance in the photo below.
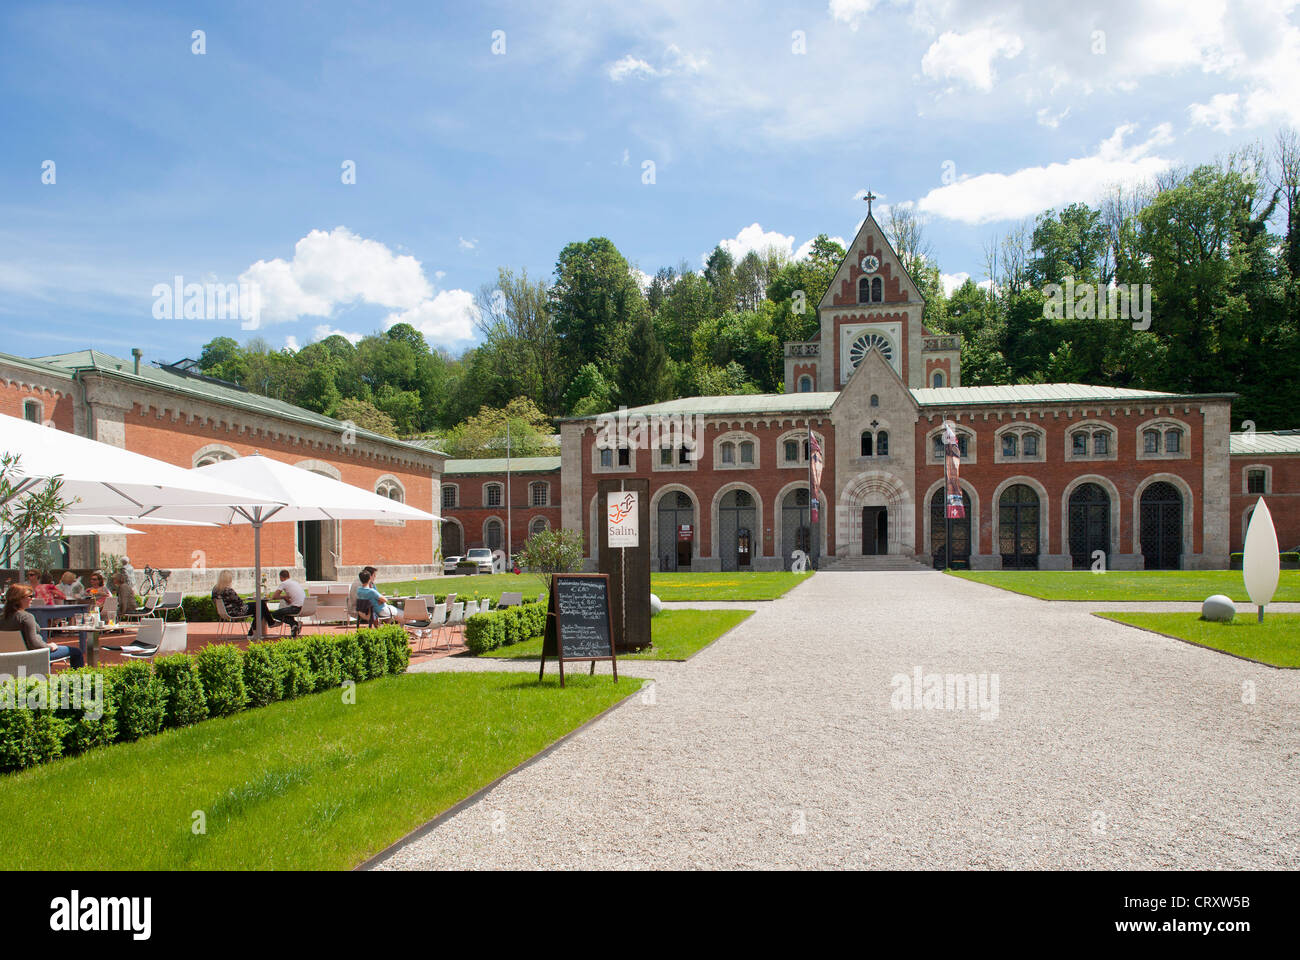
(206, 390)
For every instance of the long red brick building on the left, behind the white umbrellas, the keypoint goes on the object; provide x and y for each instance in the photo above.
(176, 416)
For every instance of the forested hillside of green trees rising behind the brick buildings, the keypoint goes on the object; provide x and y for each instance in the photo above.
(1220, 247)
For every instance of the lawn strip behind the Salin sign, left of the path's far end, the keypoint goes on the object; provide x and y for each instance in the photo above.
(669, 587)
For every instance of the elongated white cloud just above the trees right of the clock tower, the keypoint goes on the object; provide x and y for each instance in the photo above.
(991, 197)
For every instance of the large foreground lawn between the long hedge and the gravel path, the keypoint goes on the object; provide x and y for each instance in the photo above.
(310, 784)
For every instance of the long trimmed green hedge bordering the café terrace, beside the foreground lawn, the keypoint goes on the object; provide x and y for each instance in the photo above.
(140, 699)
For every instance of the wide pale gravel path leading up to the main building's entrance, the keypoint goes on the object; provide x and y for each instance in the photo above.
(778, 747)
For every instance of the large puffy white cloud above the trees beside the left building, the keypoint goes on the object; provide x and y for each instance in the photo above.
(332, 270)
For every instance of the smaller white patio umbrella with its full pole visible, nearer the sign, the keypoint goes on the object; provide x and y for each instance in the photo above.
(300, 495)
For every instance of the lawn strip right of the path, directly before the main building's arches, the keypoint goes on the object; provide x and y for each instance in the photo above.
(1191, 586)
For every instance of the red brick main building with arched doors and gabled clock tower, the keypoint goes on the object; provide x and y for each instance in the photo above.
(1051, 474)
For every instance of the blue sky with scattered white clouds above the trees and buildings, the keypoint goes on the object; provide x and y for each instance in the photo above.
(764, 123)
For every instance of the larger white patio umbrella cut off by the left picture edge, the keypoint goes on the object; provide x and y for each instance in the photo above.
(106, 481)
